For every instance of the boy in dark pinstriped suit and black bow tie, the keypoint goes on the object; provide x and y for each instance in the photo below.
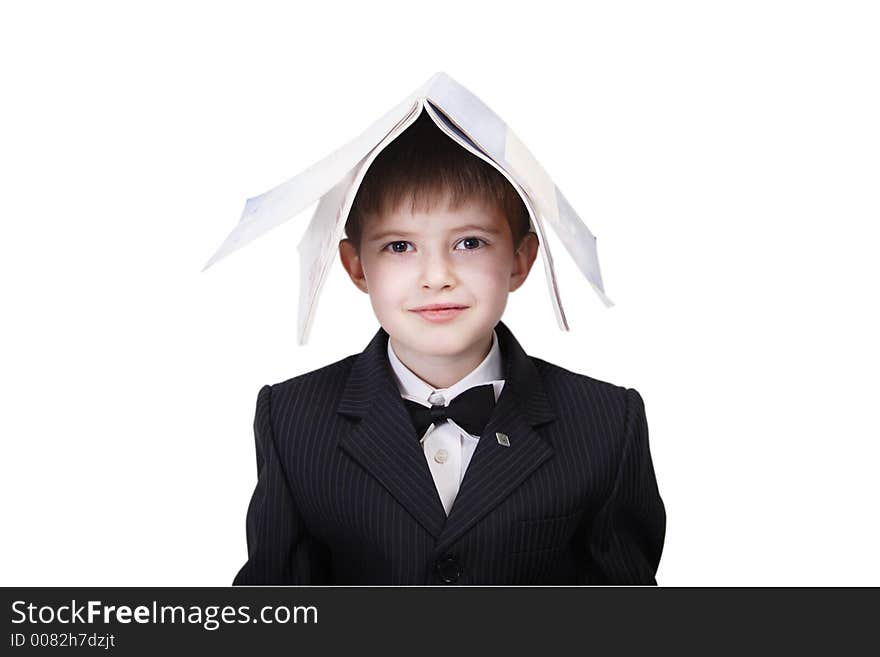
(443, 454)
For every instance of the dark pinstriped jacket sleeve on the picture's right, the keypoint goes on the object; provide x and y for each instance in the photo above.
(629, 530)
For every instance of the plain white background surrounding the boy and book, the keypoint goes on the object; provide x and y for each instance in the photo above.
(725, 154)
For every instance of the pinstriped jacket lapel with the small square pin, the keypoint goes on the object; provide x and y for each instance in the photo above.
(495, 469)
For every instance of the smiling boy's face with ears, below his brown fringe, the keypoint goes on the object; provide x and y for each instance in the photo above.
(460, 259)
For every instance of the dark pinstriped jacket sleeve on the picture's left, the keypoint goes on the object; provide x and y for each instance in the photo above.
(277, 539)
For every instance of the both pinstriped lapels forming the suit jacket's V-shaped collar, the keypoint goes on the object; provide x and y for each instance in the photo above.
(383, 440)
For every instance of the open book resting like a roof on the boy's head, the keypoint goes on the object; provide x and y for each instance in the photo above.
(335, 180)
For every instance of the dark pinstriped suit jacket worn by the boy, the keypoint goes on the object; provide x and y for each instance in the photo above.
(344, 495)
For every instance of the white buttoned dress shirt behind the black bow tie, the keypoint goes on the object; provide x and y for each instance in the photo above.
(448, 448)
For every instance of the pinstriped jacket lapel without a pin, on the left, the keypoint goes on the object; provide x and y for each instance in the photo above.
(384, 441)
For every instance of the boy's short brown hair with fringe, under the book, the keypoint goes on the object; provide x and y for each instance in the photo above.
(423, 166)
